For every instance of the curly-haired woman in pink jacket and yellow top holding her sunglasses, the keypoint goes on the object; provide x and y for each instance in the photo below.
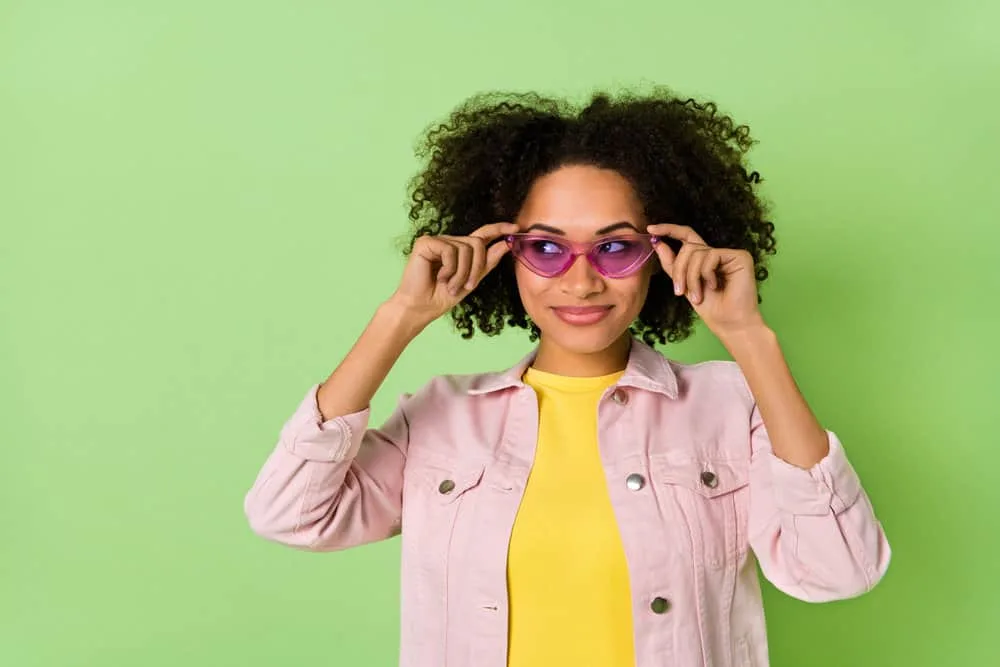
(596, 504)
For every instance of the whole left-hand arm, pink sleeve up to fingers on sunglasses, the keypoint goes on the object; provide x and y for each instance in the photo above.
(332, 482)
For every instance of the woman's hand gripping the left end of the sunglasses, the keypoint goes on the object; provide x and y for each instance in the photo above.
(443, 270)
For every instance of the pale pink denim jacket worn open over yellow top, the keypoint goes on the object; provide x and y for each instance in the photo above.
(698, 495)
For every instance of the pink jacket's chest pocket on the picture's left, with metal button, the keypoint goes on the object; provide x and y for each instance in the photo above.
(436, 498)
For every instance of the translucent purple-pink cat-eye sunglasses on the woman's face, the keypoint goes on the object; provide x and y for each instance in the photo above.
(612, 256)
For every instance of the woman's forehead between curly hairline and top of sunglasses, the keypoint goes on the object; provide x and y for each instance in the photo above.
(580, 199)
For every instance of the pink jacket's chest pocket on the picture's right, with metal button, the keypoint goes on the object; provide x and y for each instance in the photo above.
(708, 495)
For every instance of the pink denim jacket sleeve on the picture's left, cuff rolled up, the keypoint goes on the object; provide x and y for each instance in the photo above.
(330, 485)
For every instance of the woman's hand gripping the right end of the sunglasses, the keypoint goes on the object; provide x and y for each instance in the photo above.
(720, 283)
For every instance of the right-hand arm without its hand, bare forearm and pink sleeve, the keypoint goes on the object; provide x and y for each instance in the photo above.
(811, 524)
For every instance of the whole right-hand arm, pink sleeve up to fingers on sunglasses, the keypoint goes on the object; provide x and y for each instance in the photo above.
(811, 525)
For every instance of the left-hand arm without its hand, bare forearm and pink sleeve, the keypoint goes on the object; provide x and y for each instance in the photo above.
(331, 482)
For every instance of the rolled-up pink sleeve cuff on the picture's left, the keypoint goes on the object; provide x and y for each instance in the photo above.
(307, 436)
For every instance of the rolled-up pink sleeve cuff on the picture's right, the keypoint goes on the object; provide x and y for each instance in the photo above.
(831, 485)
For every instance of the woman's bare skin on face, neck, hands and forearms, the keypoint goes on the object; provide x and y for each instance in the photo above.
(578, 201)
